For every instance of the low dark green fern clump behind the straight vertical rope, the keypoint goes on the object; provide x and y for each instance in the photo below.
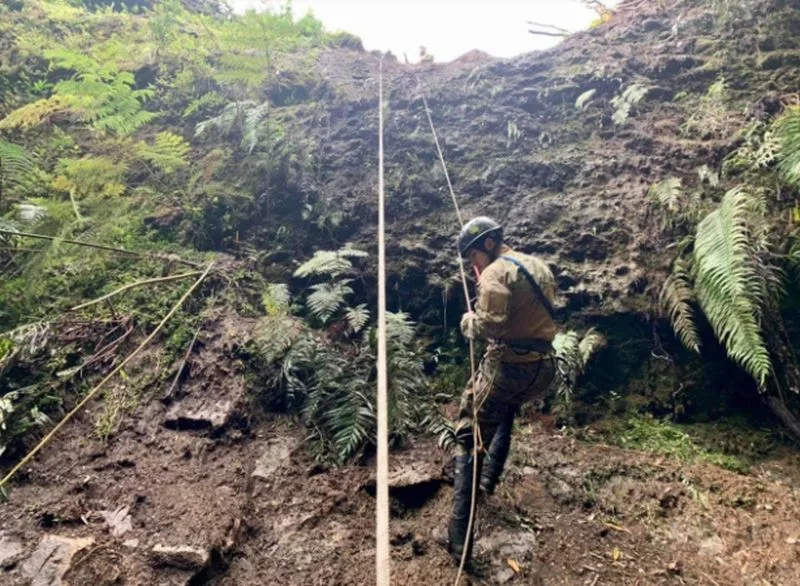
(333, 388)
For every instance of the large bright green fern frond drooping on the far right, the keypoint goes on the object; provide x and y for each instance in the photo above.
(730, 287)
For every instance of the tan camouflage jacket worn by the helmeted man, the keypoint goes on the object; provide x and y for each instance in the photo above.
(507, 309)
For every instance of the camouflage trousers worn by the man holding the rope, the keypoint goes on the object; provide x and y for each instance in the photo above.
(501, 388)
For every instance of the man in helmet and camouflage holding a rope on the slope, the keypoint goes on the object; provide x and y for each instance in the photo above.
(514, 312)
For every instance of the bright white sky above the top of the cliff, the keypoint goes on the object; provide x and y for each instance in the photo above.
(447, 28)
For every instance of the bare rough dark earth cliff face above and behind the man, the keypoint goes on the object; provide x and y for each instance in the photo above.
(569, 183)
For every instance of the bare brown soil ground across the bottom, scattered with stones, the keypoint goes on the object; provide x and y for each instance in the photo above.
(567, 512)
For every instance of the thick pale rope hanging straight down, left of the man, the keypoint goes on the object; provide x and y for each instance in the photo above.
(382, 552)
